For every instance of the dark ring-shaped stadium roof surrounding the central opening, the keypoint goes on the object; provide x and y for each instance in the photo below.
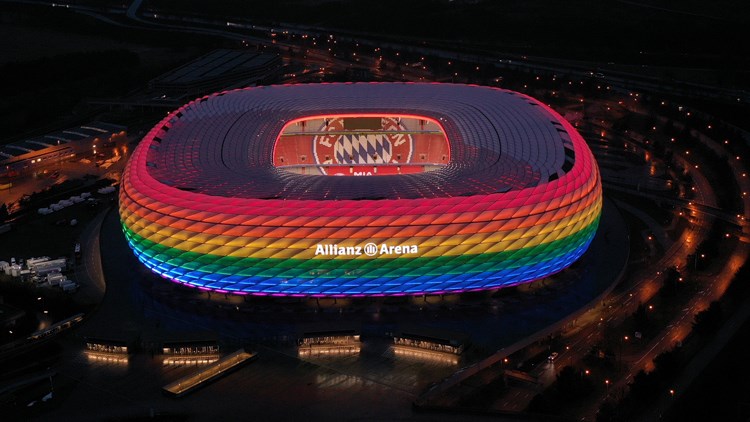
(222, 144)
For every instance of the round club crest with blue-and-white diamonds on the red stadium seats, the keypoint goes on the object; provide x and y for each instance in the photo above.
(359, 152)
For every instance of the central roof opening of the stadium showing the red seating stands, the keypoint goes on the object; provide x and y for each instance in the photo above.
(361, 145)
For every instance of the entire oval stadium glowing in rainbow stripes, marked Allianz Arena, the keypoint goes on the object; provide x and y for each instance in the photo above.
(362, 189)
